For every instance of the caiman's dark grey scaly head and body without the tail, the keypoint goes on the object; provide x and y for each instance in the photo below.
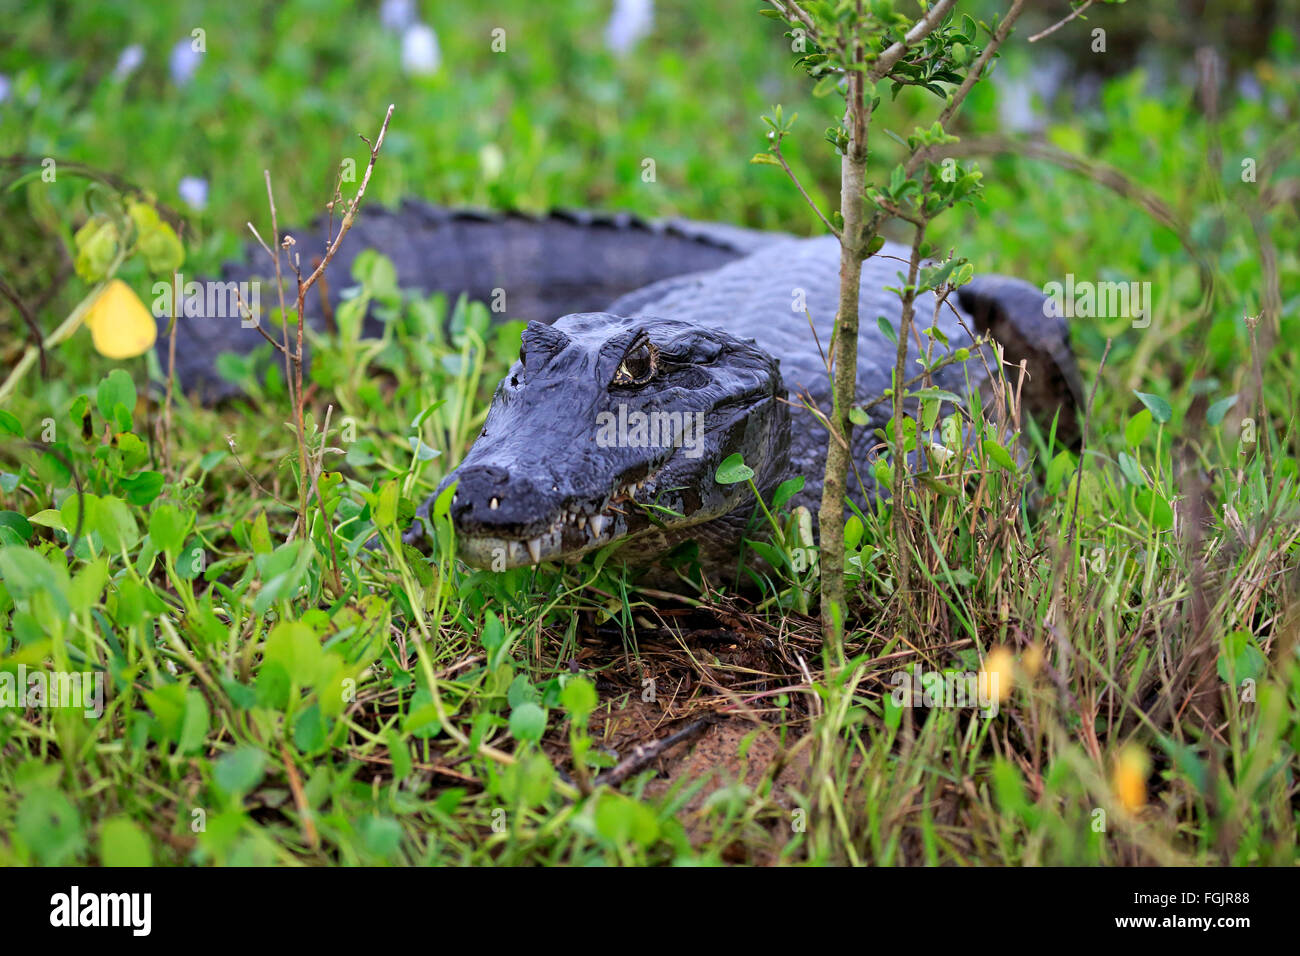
(536, 478)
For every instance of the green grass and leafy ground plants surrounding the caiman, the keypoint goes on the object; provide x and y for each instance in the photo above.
(317, 702)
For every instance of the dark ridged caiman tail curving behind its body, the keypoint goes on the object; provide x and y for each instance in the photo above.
(538, 267)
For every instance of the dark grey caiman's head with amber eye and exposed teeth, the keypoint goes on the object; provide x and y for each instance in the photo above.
(612, 429)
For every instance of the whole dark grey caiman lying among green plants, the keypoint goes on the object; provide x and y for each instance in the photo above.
(655, 352)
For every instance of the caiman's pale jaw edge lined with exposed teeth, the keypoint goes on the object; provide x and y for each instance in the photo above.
(574, 533)
